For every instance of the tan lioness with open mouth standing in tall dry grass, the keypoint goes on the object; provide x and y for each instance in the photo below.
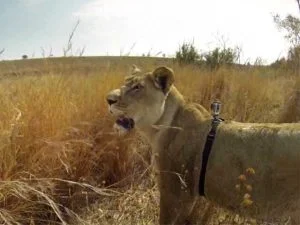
(252, 169)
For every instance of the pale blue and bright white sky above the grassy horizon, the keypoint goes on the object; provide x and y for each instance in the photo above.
(119, 27)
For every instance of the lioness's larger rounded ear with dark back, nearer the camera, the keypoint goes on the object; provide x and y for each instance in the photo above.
(163, 78)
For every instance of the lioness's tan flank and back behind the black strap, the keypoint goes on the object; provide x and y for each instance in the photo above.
(273, 151)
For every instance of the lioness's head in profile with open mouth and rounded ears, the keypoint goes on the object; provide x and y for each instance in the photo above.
(140, 101)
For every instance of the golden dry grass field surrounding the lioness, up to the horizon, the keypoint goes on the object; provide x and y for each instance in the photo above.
(62, 163)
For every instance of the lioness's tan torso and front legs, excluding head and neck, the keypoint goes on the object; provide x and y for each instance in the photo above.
(272, 150)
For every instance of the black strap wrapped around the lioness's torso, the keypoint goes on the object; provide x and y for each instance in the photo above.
(206, 152)
